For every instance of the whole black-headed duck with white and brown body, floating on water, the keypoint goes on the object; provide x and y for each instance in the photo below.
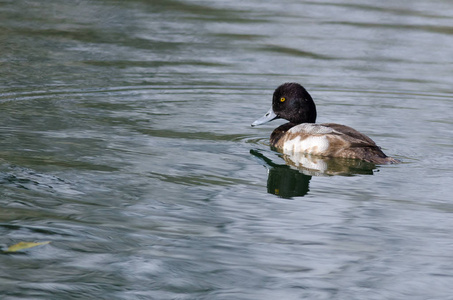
(292, 102)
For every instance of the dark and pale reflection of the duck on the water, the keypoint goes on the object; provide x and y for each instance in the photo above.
(293, 178)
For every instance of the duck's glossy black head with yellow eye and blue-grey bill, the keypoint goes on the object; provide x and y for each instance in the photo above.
(290, 102)
